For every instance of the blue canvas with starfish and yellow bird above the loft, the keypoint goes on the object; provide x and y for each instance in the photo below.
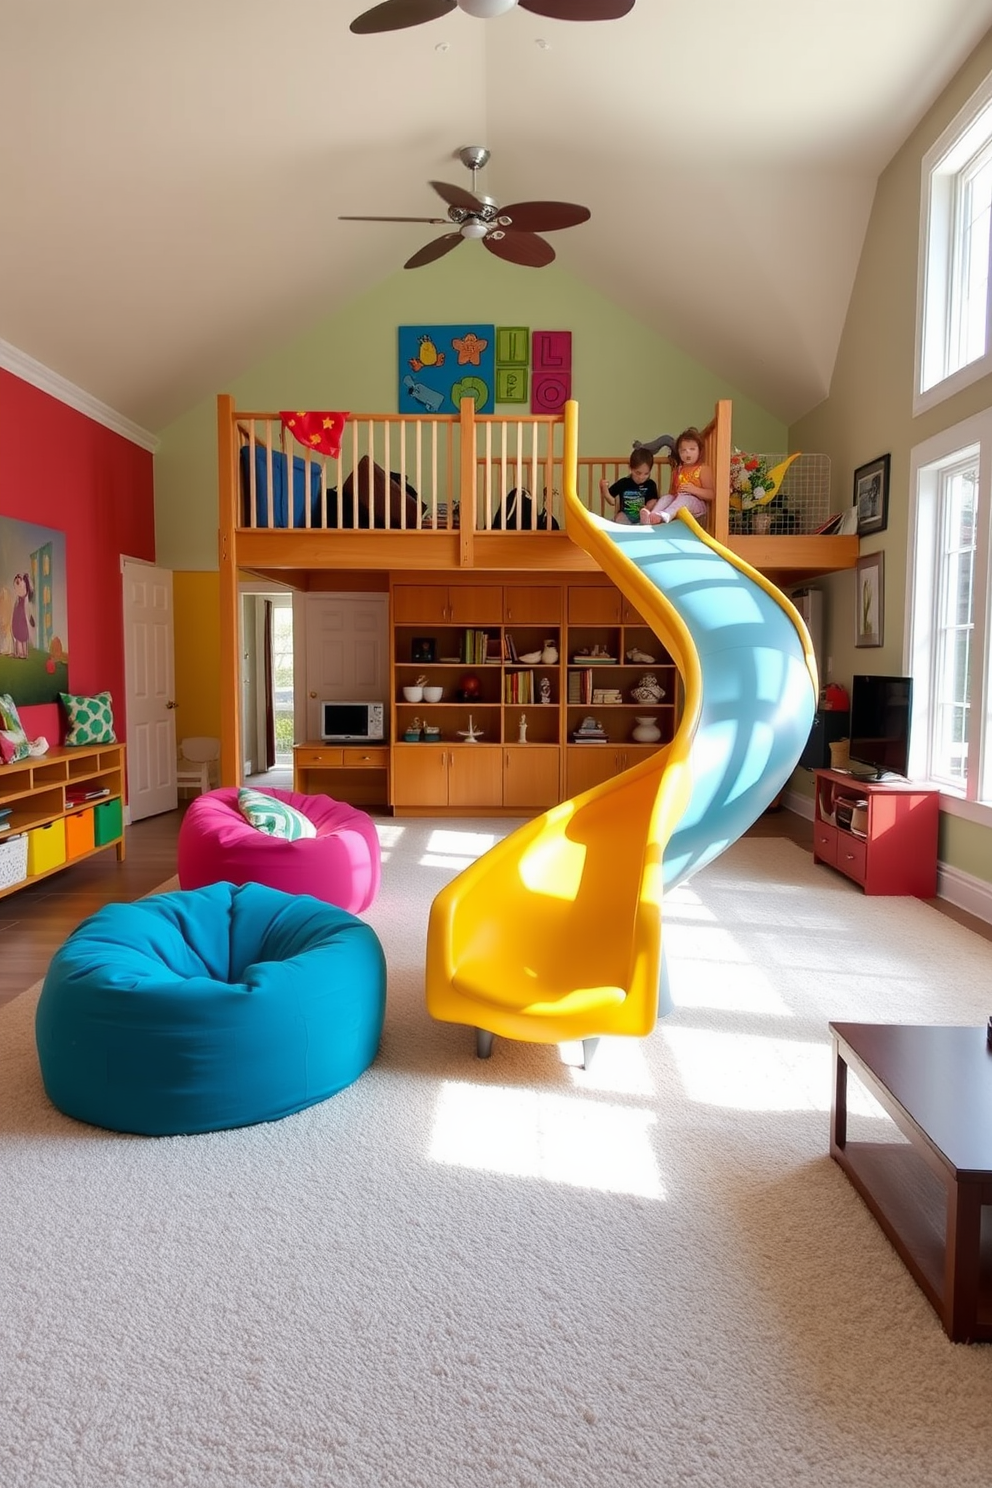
(441, 365)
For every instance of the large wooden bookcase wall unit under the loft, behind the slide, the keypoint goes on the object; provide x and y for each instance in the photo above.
(508, 675)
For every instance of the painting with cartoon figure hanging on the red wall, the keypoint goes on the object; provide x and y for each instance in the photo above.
(33, 612)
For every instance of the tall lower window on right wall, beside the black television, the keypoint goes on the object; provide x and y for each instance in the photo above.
(950, 614)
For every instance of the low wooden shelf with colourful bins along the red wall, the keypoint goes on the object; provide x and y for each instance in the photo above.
(60, 809)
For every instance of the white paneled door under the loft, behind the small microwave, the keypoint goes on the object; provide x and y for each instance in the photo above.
(347, 652)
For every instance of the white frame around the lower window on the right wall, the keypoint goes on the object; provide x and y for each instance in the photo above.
(927, 461)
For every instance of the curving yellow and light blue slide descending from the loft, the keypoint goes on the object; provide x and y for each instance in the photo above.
(557, 932)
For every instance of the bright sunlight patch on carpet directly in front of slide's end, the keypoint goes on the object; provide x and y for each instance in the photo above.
(535, 1135)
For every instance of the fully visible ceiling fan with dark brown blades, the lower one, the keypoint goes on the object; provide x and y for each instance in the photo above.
(511, 233)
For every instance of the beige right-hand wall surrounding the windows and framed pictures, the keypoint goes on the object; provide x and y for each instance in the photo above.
(871, 411)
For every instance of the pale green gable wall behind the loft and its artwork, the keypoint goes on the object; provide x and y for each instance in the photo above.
(630, 383)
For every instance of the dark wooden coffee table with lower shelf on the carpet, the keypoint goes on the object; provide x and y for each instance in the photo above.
(932, 1194)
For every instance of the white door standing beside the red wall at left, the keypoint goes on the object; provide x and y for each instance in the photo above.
(149, 657)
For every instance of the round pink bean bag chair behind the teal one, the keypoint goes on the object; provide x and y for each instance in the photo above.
(341, 865)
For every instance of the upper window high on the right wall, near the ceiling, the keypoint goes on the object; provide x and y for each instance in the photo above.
(954, 343)
